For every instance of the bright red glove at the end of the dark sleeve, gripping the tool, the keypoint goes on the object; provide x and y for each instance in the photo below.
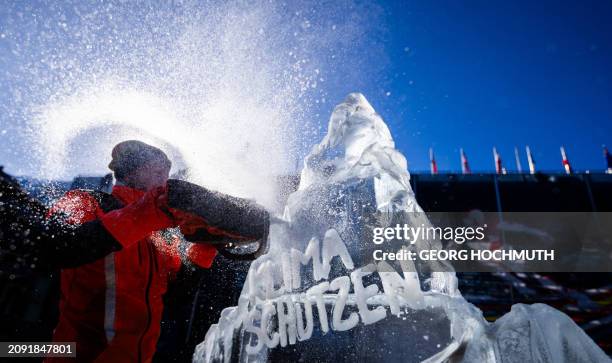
(137, 220)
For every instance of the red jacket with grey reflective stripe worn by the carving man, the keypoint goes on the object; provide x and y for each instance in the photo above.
(112, 308)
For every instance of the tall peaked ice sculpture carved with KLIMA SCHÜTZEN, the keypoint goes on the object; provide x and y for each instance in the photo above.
(317, 296)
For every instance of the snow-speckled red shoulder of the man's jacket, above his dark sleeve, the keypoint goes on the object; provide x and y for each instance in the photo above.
(79, 207)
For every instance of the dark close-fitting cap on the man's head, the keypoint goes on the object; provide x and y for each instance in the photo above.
(132, 154)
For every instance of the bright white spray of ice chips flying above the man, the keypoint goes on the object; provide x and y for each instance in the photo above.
(225, 88)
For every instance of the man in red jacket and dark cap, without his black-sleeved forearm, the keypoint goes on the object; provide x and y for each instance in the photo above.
(112, 307)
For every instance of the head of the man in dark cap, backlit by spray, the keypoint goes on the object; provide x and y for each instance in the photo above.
(139, 165)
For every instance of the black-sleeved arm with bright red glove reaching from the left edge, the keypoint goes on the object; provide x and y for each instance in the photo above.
(31, 242)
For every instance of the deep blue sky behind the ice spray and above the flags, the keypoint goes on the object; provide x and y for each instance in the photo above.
(443, 74)
